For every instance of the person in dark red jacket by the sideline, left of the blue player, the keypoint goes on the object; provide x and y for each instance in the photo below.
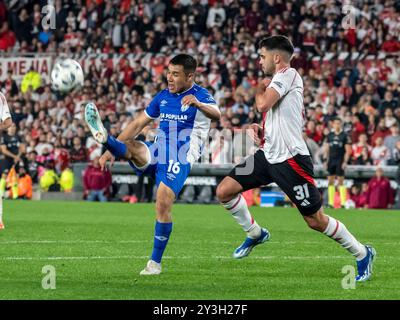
(96, 182)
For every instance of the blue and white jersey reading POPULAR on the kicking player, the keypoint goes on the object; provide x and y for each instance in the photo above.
(183, 129)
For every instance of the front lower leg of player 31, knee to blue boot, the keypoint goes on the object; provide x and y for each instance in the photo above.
(228, 193)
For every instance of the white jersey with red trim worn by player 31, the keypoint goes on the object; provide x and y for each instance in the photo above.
(283, 123)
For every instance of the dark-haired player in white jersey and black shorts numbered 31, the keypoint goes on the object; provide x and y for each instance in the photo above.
(283, 158)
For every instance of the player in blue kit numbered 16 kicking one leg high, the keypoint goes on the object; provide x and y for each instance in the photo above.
(185, 111)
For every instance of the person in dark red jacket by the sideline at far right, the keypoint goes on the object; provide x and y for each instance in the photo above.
(379, 194)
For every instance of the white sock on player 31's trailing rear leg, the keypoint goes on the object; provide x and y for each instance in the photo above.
(338, 232)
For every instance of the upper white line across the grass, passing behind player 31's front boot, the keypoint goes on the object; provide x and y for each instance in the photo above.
(150, 240)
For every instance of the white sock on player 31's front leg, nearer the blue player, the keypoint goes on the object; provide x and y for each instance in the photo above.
(238, 208)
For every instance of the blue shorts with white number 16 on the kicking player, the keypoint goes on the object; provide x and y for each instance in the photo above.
(172, 173)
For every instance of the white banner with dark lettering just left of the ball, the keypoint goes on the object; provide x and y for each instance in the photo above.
(21, 65)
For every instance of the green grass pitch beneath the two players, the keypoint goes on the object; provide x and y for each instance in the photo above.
(98, 251)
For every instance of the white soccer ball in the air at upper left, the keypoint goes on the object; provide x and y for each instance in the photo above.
(66, 75)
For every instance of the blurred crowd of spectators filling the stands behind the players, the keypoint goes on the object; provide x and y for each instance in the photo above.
(349, 71)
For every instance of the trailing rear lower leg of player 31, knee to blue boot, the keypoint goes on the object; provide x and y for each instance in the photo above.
(337, 231)
